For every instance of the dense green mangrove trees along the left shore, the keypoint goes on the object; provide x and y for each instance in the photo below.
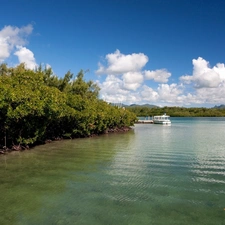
(36, 106)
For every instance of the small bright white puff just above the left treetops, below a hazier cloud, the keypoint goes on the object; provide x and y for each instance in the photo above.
(26, 56)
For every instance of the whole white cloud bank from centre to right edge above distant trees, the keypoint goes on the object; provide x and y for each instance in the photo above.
(126, 82)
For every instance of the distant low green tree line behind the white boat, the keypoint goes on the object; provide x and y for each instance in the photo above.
(177, 111)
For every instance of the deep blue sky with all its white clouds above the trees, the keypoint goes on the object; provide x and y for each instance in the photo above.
(160, 52)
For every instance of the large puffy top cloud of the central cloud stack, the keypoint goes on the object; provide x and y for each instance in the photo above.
(118, 63)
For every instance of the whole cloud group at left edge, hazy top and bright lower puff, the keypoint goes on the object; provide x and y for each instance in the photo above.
(12, 41)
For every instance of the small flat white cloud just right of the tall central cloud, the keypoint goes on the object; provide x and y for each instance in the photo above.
(160, 76)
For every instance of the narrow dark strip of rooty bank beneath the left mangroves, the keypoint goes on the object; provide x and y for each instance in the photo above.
(5, 150)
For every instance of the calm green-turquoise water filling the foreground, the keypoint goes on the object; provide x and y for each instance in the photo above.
(153, 174)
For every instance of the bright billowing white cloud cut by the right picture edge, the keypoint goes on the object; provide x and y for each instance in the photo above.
(203, 76)
